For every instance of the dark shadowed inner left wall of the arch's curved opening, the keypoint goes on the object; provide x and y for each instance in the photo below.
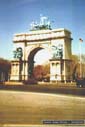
(31, 61)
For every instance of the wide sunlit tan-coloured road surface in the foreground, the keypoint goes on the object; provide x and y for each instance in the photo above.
(19, 107)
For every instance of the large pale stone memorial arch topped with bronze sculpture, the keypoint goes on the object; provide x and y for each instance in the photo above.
(26, 45)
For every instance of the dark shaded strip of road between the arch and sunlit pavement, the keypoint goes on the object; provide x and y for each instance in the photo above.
(47, 88)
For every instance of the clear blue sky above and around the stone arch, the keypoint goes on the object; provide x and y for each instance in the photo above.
(16, 16)
